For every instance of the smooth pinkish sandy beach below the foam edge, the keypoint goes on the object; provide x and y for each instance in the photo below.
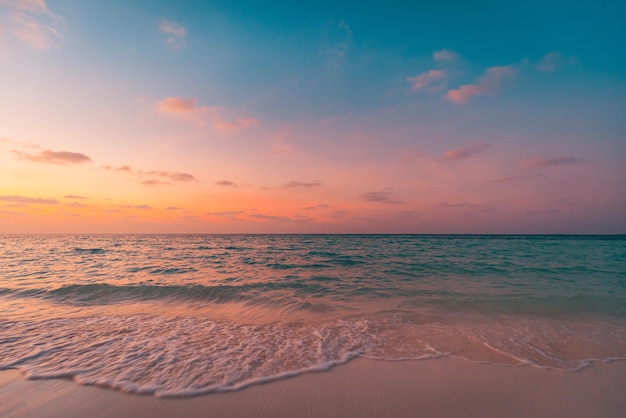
(362, 388)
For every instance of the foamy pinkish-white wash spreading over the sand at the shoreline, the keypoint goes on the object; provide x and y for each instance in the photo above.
(186, 356)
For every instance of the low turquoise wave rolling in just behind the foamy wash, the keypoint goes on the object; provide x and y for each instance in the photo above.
(329, 294)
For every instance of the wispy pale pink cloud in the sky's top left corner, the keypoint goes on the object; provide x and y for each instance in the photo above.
(31, 22)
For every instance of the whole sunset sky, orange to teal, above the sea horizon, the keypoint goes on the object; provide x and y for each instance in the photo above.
(312, 117)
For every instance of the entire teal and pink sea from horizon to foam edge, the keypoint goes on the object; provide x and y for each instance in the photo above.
(179, 315)
